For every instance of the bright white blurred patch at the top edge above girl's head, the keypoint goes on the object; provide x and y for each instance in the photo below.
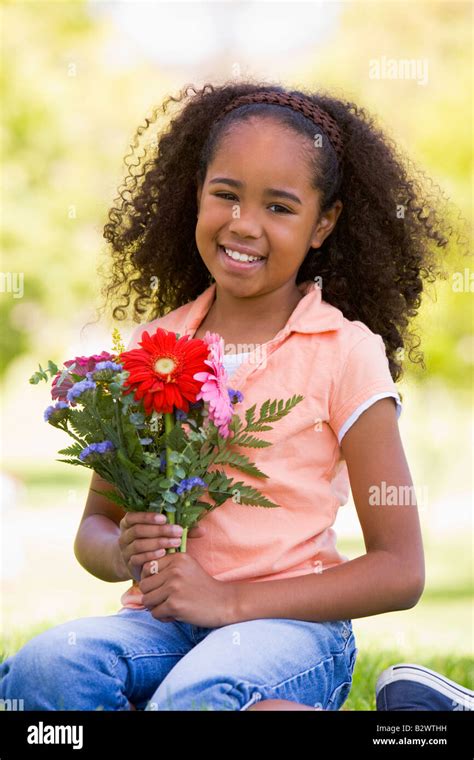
(180, 34)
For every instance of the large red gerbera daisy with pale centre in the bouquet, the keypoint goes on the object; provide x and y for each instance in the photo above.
(162, 370)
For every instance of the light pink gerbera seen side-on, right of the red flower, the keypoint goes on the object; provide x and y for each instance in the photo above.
(214, 385)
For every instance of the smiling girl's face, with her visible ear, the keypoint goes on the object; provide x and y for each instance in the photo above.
(243, 205)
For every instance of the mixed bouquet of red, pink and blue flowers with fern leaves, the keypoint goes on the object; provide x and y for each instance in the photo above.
(152, 421)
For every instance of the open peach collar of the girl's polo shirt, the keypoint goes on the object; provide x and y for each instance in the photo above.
(311, 314)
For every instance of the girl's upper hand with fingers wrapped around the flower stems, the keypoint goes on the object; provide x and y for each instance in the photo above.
(145, 536)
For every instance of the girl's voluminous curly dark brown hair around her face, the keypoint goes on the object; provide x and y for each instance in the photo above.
(373, 263)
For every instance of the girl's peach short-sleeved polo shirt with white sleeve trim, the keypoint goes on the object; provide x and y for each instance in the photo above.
(341, 368)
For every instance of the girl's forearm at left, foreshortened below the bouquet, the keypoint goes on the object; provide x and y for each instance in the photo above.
(97, 549)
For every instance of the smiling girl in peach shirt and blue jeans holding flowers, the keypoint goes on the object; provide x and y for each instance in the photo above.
(284, 221)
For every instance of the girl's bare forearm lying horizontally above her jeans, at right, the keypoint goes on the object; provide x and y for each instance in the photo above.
(368, 585)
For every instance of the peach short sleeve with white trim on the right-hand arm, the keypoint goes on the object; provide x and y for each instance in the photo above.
(364, 379)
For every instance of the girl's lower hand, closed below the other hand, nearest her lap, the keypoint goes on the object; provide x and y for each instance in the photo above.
(176, 587)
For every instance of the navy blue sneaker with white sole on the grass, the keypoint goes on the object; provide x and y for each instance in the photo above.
(409, 686)
